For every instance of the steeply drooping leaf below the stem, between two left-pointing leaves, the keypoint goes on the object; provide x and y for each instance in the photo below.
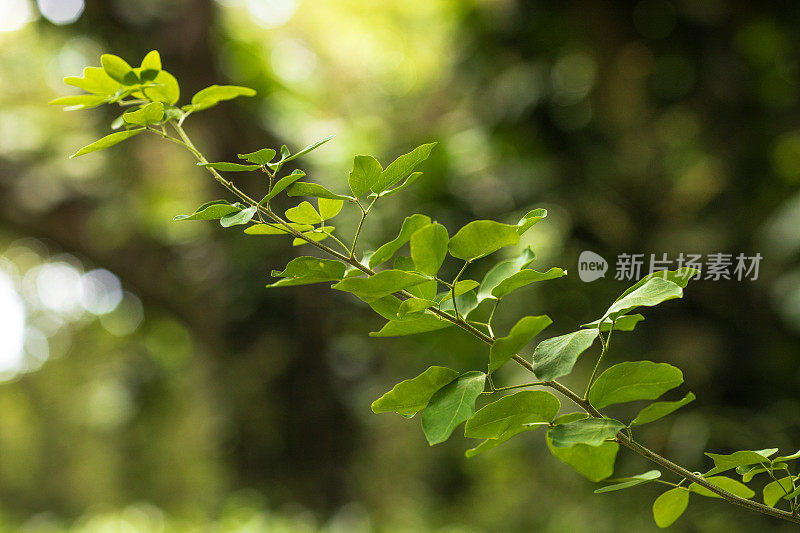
(451, 405)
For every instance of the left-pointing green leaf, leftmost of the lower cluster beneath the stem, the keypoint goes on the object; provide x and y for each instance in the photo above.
(412, 395)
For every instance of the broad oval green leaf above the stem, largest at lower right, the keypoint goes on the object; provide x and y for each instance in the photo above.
(633, 380)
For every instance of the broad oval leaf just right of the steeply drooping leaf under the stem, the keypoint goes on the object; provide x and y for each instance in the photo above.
(509, 412)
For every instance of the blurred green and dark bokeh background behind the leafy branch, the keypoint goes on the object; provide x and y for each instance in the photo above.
(150, 384)
